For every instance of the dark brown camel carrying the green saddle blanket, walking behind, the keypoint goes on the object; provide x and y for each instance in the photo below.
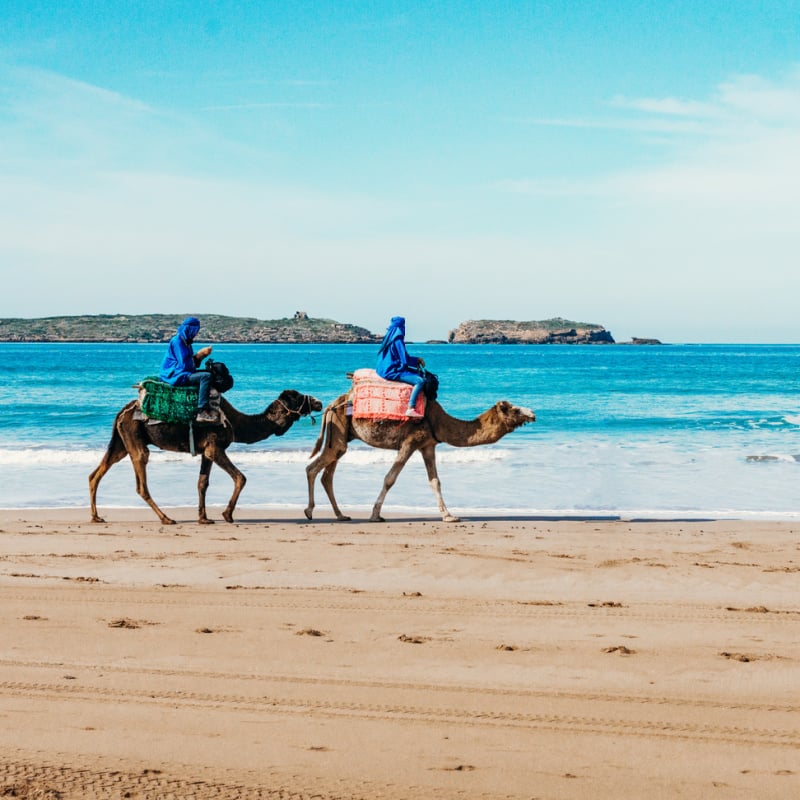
(131, 437)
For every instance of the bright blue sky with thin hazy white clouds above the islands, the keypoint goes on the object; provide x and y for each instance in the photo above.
(633, 163)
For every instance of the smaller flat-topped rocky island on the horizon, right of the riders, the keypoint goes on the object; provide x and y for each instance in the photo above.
(549, 331)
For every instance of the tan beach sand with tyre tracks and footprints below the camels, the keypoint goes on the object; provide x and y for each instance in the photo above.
(492, 658)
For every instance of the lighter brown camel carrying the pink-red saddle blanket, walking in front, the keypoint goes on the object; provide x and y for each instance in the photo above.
(406, 437)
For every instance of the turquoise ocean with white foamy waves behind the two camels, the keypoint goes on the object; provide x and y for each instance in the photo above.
(656, 431)
